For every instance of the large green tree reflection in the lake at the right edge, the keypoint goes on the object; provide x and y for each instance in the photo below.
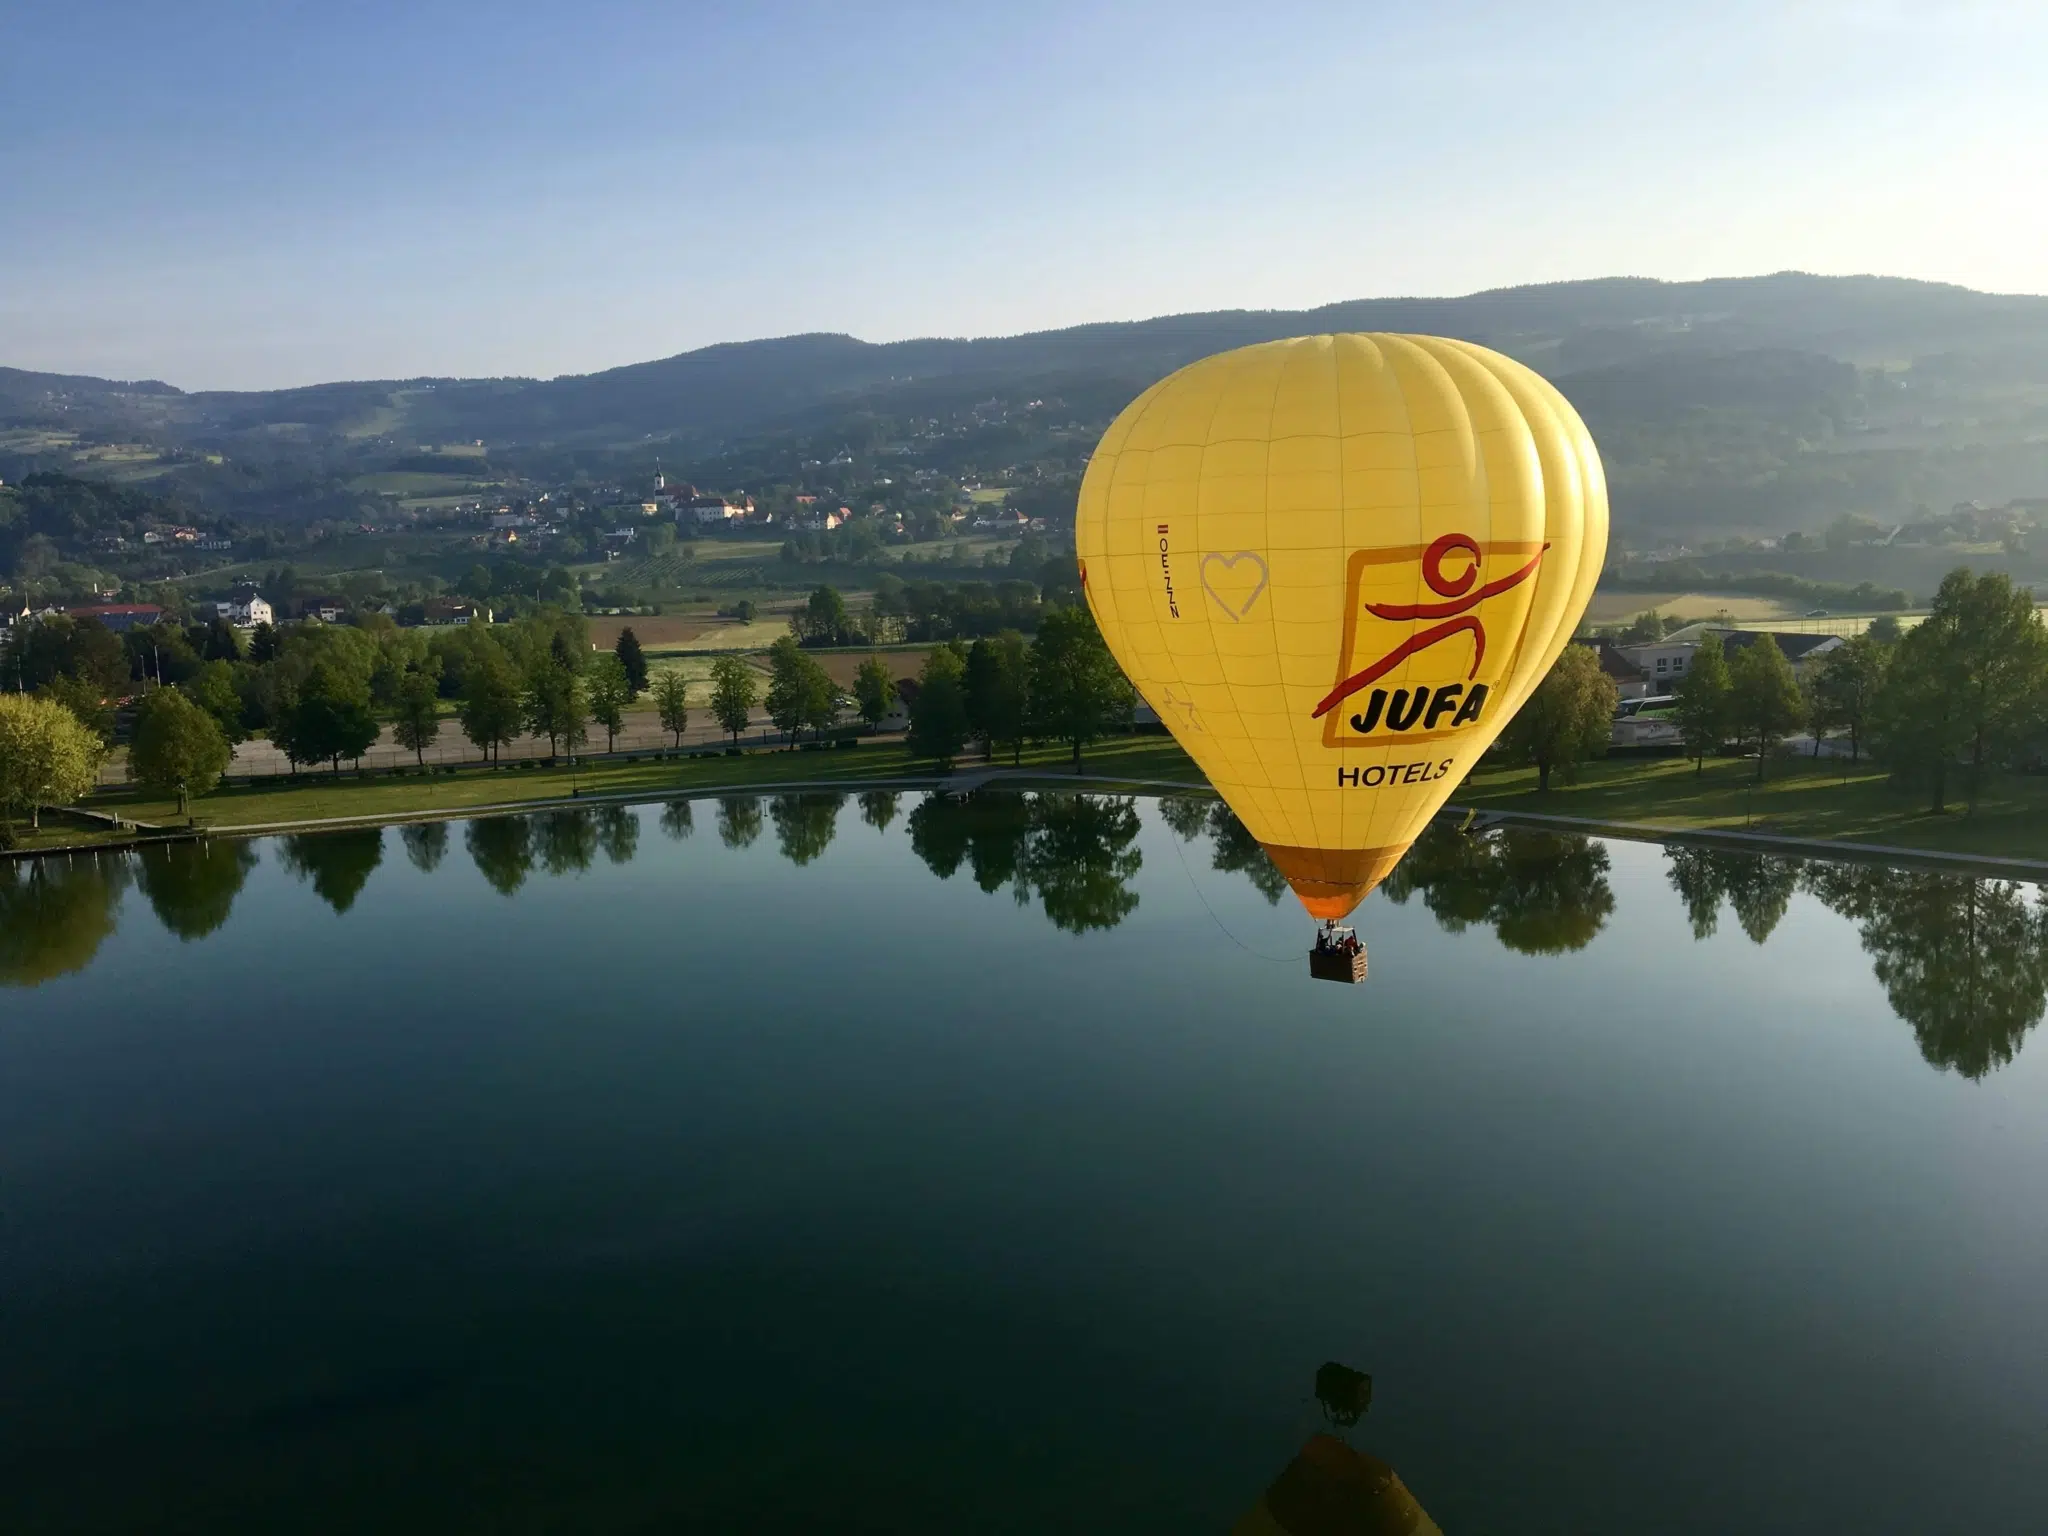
(1963, 962)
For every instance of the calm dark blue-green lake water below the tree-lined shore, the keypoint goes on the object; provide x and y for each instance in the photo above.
(896, 1164)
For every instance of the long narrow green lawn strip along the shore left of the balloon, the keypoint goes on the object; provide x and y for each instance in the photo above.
(318, 796)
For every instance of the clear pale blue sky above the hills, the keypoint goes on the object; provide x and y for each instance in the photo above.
(239, 196)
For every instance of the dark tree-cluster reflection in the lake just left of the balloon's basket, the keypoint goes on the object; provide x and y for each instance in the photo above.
(1070, 851)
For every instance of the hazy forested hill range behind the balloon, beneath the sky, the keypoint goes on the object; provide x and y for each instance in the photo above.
(1744, 404)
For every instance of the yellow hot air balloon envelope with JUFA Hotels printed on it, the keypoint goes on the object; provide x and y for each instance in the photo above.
(1336, 566)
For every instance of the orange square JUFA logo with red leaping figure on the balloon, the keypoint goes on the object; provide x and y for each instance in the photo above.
(1453, 642)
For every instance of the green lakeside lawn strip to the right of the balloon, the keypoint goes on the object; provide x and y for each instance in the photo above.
(1797, 800)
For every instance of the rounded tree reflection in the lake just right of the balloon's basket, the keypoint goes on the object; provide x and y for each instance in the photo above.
(1541, 892)
